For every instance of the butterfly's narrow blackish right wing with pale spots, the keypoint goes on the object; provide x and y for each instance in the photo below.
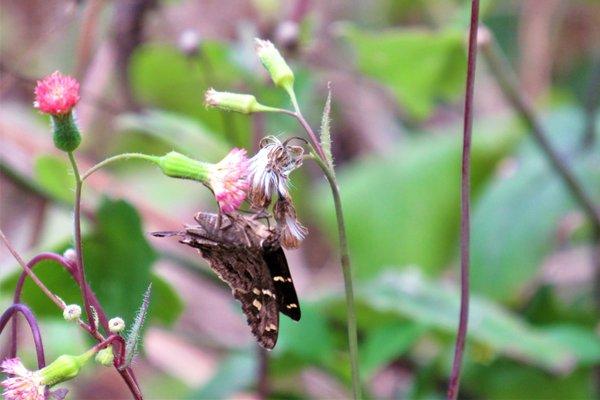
(282, 280)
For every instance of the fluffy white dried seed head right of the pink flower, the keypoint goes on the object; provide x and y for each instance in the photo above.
(270, 169)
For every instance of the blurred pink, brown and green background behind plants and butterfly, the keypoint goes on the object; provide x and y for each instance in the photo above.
(397, 72)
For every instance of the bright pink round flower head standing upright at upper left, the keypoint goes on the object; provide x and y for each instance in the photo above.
(56, 94)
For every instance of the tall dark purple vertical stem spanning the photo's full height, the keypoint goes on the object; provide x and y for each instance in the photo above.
(465, 188)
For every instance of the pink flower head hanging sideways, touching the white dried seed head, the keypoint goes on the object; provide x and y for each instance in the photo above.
(228, 180)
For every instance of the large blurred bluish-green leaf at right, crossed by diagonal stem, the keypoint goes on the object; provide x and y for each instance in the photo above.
(515, 220)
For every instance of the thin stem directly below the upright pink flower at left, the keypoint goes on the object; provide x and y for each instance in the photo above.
(85, 292)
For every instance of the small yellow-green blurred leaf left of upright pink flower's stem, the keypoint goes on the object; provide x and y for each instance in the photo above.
(55, 177)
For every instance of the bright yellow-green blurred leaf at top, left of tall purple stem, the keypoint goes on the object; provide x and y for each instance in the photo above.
(419, 66)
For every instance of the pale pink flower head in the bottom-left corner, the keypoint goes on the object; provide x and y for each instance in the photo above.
(21, 384)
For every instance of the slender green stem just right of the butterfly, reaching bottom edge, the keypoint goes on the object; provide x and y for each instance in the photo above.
(347, 272)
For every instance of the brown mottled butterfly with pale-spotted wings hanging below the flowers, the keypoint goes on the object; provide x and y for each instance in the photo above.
(247, 255)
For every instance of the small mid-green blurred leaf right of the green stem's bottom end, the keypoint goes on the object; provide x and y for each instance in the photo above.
(386, 343)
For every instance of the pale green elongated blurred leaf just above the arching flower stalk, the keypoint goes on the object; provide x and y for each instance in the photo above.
(181, 133)
